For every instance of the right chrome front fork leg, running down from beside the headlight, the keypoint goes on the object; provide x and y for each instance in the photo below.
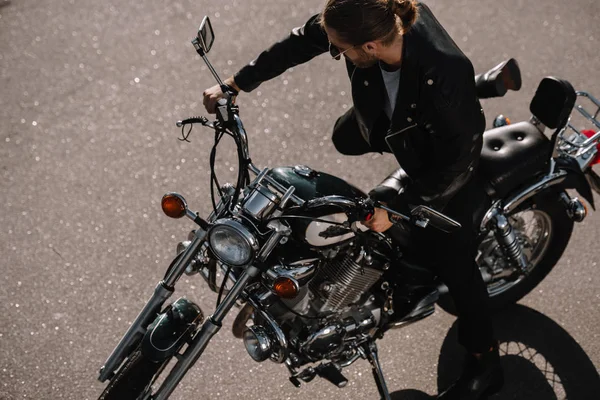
(210, 327)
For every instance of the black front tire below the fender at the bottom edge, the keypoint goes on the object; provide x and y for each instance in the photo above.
(134, 379)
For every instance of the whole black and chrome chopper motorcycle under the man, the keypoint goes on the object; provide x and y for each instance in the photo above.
(315, 288)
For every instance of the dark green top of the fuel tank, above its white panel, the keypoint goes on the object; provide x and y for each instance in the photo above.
(312, 184)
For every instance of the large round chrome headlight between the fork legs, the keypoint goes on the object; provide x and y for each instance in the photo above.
(232, 243)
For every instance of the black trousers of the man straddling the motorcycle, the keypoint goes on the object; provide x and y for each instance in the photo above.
(450, 256)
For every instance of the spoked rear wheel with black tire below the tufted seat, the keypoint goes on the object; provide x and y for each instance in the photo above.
(544, 230)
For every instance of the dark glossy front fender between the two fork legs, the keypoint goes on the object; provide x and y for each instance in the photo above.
(171, 329)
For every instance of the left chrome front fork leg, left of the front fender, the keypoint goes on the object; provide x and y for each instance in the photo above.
(162, 292)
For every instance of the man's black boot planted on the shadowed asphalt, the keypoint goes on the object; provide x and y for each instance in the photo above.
(481, 378)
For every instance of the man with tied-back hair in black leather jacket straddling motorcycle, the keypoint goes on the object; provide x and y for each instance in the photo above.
(433, 125)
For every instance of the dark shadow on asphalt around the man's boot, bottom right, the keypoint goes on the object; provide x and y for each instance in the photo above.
(541, 360)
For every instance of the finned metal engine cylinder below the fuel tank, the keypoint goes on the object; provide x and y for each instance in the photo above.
(341, 282)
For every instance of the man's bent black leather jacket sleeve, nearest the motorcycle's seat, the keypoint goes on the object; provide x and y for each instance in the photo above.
(456, 124)
